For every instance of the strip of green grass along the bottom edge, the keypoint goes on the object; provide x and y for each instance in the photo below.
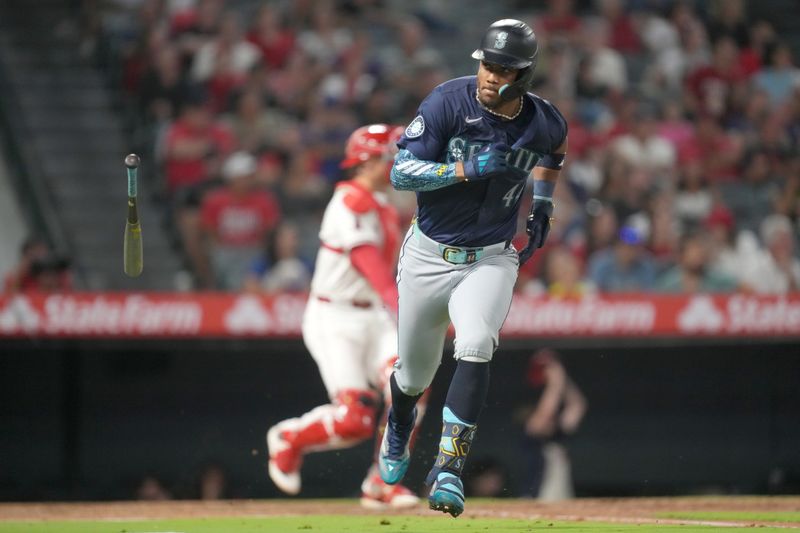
(340, 524)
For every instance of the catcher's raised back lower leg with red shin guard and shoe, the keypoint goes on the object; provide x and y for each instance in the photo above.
(345, 422)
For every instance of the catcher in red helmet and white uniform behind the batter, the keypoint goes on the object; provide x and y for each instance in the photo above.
(349, 324)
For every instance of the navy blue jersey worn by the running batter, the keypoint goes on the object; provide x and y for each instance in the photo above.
(452, 126)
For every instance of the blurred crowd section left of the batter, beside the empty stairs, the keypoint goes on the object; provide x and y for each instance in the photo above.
(246, 106)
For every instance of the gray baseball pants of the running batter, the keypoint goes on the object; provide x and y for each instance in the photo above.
(433, 292)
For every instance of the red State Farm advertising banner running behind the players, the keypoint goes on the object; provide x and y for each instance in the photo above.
(224, 315)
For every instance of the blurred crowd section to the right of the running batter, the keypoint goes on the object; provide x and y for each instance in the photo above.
(684, 169)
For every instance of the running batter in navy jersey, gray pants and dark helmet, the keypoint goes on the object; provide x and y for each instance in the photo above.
(467, 154)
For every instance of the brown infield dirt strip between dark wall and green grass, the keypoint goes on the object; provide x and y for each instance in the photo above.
(634, 510)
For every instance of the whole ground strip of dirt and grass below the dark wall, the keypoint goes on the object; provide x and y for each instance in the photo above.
(711, 513)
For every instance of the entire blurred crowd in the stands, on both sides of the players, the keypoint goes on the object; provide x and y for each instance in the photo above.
(683, 168)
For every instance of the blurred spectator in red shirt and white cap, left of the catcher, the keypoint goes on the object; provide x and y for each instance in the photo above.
(236, 219)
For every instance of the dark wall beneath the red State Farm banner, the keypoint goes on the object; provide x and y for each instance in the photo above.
(87, 420)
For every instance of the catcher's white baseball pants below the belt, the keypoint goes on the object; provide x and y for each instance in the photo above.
(352, 346)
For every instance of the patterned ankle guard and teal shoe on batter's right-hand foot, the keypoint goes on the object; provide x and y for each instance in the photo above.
(447, 490)
